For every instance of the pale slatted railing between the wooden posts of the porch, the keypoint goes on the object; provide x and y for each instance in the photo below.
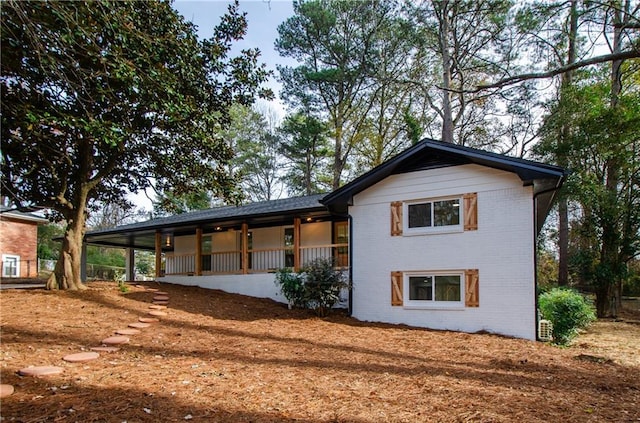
(259, 260)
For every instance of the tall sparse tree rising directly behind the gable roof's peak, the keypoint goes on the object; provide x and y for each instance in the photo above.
(463, 43)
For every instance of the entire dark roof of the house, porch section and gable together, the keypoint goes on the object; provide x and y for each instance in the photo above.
(427, 154)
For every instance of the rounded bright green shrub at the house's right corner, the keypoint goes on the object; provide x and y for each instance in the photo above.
(568, 311)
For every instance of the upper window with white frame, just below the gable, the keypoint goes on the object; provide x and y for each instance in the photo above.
(443, 213)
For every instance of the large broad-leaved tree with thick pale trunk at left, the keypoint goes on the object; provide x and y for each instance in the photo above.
(104, 98)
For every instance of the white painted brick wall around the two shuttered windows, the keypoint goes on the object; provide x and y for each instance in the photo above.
(502, 249)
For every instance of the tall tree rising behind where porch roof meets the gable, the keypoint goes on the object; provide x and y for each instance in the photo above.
(335, 43)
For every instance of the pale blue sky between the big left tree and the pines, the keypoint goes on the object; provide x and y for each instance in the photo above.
(263, 18)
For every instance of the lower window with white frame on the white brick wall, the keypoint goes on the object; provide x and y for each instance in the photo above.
(434, 289)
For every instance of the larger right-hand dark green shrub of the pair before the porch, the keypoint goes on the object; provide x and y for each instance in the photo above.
(322, 285)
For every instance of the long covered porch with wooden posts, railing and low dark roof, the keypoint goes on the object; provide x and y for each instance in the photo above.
(257, 238)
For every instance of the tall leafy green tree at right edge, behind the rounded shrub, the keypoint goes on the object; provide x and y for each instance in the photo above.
(601, 148)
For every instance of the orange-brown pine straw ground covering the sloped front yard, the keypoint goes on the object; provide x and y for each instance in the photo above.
(223, 357)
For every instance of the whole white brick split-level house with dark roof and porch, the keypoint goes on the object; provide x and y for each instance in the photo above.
(440, 236)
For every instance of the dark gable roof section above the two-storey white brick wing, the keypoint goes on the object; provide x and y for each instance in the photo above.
(431, 154)
